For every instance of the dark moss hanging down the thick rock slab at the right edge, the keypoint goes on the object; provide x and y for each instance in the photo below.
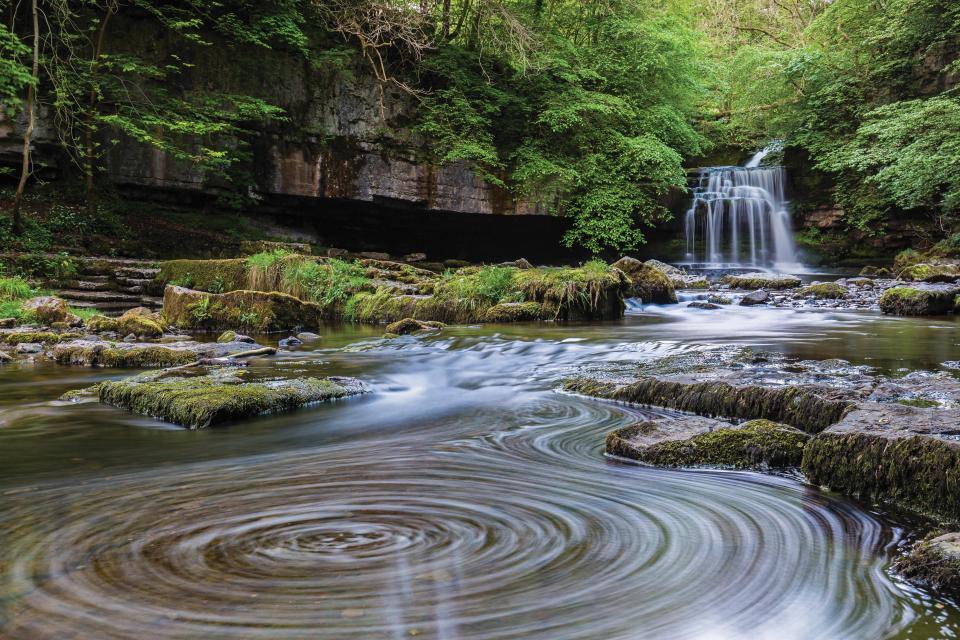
(918, 473)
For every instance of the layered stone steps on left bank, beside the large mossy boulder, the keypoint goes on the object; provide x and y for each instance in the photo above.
(110, 285)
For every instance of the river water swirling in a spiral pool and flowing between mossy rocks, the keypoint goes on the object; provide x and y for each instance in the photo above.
(465, 499)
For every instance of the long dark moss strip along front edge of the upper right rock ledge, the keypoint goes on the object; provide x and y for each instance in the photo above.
(789, 405)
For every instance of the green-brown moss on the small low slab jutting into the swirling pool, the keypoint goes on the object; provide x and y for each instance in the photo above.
(755, 444)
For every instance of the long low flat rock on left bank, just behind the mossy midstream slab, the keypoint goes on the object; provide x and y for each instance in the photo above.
(101, 353)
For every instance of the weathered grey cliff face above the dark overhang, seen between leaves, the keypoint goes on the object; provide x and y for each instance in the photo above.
(346, 136)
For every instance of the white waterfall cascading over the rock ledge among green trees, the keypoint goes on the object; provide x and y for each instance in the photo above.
(739, 217)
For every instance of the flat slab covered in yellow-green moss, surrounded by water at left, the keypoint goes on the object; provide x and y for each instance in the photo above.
(201, 401)
